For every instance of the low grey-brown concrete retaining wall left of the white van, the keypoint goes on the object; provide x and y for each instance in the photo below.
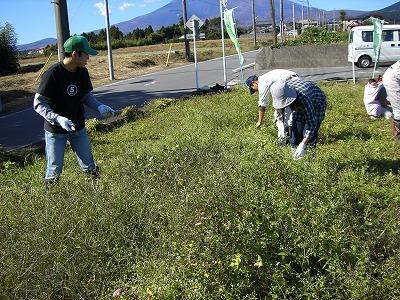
(304, 56)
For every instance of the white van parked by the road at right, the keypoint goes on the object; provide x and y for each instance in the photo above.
(361, 50)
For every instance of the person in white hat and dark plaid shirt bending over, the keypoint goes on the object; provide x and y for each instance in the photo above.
(308, 104)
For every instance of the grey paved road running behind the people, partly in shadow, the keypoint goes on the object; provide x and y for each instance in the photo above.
(26, 127)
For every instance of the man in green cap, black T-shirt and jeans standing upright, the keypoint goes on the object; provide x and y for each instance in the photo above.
(64, 89)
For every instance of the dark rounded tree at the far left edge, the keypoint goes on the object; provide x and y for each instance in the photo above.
(8, 50)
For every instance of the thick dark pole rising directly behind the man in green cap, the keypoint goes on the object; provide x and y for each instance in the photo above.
(62, 25)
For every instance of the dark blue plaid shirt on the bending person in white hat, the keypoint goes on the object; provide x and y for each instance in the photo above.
(313, 101)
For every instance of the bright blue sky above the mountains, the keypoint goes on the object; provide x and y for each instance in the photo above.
(33, 20)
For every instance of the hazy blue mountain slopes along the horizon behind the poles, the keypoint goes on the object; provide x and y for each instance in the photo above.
(206, 9)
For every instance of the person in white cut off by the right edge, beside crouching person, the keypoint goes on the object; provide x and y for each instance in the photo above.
(391, 82)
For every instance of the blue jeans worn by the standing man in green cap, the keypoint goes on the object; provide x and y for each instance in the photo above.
(55, 149)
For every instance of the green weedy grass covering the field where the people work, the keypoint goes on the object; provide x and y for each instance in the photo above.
(195, 203)
